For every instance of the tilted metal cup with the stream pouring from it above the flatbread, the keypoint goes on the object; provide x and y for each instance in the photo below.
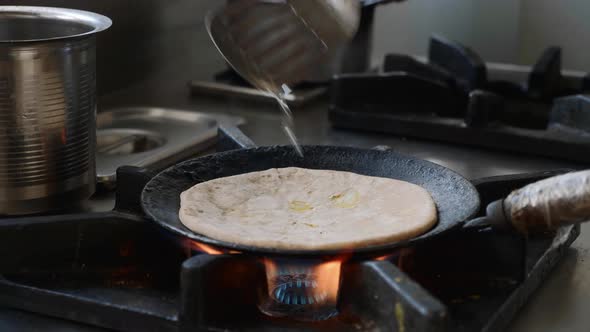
(274, 44)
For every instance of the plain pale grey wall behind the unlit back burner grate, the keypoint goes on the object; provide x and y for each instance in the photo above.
(513, 31)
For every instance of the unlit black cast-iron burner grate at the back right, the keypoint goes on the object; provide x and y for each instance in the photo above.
(454, 96)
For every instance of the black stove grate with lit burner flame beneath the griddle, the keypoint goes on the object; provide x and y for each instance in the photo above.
(116, 270)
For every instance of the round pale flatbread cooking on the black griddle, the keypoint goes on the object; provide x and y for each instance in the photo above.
(306, 209)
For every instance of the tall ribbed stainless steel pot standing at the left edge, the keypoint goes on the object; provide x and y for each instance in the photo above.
(47, 107)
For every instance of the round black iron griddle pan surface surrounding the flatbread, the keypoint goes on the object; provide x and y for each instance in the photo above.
(456, 198)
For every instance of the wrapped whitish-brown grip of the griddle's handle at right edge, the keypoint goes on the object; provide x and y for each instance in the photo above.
(550, 203)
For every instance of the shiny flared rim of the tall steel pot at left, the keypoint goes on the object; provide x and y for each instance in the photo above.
(95, 22)
